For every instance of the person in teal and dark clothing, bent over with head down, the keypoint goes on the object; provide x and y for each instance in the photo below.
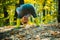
(24, 11)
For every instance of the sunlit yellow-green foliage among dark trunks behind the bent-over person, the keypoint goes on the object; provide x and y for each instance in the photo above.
(50, 7)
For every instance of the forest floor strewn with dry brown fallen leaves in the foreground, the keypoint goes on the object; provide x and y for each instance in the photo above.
(44, 32)
